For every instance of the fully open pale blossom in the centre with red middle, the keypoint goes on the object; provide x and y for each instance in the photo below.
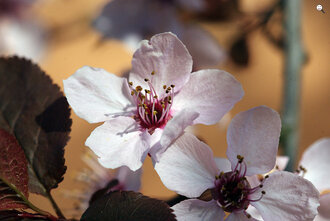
(147, 113)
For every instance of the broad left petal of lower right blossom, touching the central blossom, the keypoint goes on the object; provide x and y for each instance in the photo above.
(187, 167)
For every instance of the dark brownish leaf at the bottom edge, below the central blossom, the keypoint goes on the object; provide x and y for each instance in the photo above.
(126, 206)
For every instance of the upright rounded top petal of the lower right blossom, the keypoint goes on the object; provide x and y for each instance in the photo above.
(254, 134)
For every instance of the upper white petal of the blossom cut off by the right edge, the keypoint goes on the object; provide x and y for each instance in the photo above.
(316, 161)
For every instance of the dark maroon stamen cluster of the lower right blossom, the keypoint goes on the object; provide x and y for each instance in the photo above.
(232, 190)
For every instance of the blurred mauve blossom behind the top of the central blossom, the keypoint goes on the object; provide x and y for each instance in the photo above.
(145, 18)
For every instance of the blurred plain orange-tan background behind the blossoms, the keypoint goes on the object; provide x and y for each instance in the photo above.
(73, 43)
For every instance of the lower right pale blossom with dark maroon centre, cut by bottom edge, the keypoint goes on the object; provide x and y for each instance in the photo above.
(220, 186)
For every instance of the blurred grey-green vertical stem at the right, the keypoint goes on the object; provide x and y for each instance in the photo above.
(292, 71)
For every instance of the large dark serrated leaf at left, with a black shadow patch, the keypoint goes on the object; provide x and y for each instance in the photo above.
(34, 109)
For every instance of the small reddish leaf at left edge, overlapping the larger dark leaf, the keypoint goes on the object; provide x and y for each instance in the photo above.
(13, 173)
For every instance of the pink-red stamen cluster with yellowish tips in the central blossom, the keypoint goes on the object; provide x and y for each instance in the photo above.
(152, 111)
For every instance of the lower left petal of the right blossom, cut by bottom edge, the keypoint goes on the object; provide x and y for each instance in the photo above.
(197, 210)
